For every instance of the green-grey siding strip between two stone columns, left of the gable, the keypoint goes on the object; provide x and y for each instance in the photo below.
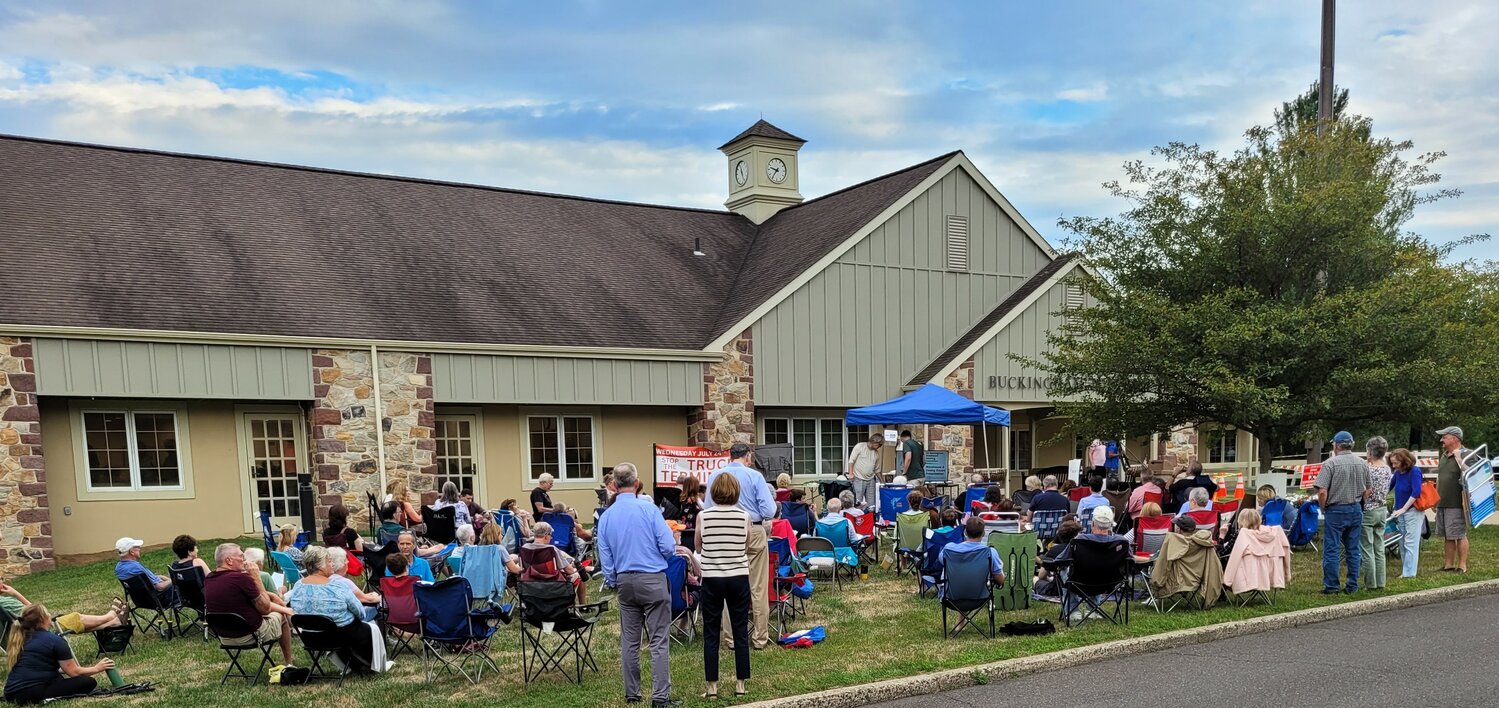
(483, 379)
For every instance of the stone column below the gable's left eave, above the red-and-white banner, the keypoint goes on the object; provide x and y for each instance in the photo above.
(728, 413)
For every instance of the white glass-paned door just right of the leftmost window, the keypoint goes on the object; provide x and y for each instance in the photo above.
(274, 451)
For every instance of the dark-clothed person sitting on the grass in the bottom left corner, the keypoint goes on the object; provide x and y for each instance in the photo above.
(43, 665)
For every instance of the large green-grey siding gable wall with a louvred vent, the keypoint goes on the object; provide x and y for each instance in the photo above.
(878, 316)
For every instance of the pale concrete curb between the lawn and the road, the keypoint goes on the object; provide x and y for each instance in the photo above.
(1013, 668)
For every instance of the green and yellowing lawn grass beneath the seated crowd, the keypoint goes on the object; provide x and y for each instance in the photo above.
(876, 631)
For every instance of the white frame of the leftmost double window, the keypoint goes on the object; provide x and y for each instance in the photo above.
(85, 481)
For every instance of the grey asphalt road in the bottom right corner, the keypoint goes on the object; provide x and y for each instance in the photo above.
(1432, 656)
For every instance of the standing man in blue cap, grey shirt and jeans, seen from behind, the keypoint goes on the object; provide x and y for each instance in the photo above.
(1341, 491)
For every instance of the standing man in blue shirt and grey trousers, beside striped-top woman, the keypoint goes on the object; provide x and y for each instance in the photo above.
(635, 545)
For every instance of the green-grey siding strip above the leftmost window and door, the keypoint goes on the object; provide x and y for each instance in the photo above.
(161, 370)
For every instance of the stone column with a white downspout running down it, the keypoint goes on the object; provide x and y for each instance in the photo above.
(346, 451)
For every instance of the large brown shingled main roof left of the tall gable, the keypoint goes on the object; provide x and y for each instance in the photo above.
(151, 241)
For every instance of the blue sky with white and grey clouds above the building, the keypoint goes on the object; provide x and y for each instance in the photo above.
(630, 100)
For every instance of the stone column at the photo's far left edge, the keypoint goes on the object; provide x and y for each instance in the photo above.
(26, 527)
